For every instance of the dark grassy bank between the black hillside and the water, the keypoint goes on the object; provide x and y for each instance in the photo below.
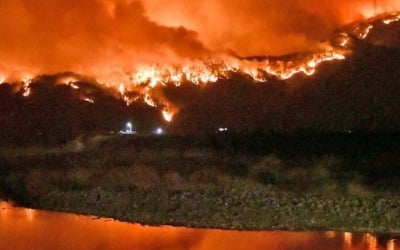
(242, 182)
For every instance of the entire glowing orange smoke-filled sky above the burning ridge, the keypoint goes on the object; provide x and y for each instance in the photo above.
(92, 36)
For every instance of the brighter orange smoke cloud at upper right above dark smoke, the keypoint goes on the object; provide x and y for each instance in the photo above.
(259, 27)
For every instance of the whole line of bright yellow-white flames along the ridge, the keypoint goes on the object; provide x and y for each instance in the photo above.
(146, 80)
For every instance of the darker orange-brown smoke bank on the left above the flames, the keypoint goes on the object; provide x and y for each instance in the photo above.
(51, 36)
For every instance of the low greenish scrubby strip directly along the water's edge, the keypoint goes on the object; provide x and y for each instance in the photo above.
(257, 209)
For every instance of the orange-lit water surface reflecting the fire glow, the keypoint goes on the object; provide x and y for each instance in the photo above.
(32, 229)
